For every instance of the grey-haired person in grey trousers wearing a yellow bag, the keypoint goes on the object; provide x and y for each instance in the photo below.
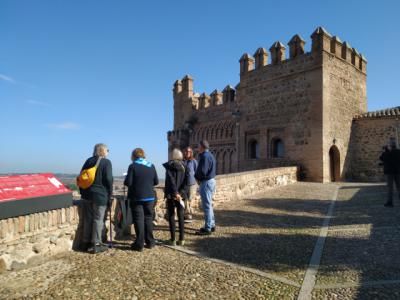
(96, 198)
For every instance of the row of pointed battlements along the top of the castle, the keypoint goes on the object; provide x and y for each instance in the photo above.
(273, 64)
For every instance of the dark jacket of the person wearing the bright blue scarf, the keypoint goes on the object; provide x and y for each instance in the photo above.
(140, 180)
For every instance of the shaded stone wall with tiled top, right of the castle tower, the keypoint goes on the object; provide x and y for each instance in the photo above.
(368, 137)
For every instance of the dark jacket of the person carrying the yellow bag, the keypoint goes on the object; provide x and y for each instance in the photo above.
(101, 190)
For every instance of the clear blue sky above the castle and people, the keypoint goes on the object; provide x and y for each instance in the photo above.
(74, 73)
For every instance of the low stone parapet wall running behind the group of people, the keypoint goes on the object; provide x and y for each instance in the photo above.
(31, 238)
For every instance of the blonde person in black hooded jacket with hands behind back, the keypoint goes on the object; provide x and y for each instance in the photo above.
(175, 186)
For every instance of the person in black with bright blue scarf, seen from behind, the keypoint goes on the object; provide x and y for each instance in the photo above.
(140, 180)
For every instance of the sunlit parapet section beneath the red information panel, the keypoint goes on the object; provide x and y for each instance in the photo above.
(25, 239)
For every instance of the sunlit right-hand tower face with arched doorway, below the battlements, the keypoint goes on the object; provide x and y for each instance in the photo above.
(344, 97)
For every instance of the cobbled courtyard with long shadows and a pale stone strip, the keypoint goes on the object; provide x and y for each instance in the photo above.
(302, 241)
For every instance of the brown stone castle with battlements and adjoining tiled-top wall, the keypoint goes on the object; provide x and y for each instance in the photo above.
(308, 110)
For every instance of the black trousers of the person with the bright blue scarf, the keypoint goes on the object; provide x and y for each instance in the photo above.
(142, 216)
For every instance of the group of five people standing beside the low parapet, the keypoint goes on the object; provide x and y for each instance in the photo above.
(184, 175)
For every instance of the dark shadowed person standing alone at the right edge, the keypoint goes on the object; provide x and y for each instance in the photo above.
(391, 168)
